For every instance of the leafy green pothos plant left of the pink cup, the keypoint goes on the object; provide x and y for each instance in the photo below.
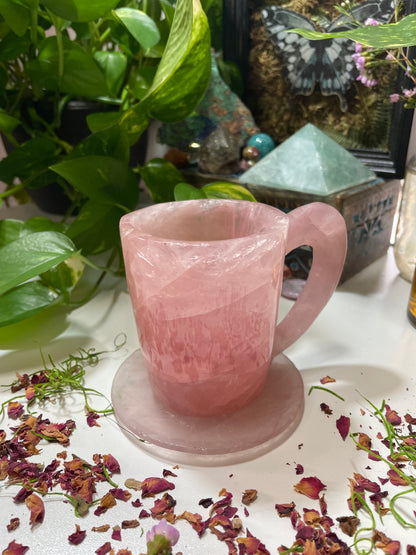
(100, 49)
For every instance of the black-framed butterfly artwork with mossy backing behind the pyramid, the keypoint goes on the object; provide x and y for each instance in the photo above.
(290, 81)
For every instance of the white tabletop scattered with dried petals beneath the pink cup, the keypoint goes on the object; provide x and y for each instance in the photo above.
(362, 339)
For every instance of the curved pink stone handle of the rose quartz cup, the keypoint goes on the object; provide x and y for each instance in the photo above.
(323, 228)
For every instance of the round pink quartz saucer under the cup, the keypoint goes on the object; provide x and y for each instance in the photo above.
(250, 432)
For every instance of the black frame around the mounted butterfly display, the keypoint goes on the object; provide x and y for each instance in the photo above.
(388, 164)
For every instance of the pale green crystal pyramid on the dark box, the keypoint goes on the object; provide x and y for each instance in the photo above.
(309, 162)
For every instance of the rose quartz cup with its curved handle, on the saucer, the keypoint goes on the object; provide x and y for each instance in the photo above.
(205, 278)
